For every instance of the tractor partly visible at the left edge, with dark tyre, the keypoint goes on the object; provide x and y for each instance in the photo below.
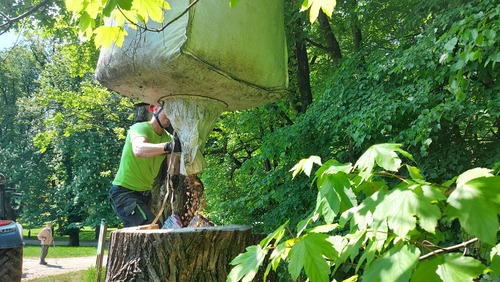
(11, 235)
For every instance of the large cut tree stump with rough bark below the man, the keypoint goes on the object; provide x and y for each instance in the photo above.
(186, 254)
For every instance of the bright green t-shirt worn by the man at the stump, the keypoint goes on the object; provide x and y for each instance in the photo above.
(139, 173)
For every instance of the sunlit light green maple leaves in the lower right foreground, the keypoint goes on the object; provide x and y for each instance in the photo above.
(386, 235)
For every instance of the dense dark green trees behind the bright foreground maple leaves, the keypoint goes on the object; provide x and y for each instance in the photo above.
(398, 90)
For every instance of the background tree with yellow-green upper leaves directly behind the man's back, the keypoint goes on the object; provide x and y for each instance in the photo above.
(81, 137)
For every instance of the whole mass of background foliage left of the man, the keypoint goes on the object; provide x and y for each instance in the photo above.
(64, 134)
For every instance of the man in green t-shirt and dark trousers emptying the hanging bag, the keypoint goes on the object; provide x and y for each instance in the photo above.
(145, 148)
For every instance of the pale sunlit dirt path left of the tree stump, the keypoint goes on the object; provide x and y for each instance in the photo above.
(32, 269)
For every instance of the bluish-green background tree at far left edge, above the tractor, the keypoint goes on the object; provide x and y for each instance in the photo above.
(19, 160)
